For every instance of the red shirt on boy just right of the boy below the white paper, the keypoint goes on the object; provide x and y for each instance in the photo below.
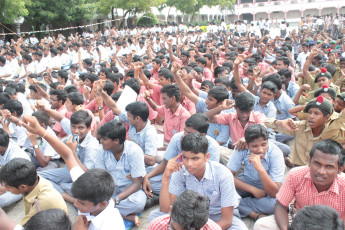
(173, 122)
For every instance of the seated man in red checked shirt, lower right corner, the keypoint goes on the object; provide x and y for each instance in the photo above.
(322, 182)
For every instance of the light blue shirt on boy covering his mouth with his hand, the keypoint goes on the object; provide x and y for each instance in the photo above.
(273, 162)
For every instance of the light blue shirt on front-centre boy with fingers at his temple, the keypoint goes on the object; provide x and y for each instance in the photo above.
(217, 184)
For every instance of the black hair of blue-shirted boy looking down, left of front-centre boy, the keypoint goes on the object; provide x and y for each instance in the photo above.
(113, 130)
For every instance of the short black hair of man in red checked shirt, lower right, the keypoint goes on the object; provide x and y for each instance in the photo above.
(331, 147)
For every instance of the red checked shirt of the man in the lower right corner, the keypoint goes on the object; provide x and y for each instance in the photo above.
(299, 186)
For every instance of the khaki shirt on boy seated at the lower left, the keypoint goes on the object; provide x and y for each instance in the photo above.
(42, 197)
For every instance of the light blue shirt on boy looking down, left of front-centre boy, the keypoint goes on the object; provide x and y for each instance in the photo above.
(130, 165)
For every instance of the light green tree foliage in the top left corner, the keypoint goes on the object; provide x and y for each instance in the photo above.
(11, 10)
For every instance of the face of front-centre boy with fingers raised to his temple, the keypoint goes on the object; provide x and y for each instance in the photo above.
(195, 163)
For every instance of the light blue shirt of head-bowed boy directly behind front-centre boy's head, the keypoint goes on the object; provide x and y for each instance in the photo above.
(174, 147)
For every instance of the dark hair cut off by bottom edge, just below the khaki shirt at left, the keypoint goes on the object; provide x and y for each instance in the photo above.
(51, 219)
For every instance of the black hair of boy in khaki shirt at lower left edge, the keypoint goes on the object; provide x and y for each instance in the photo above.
(18, 171)
